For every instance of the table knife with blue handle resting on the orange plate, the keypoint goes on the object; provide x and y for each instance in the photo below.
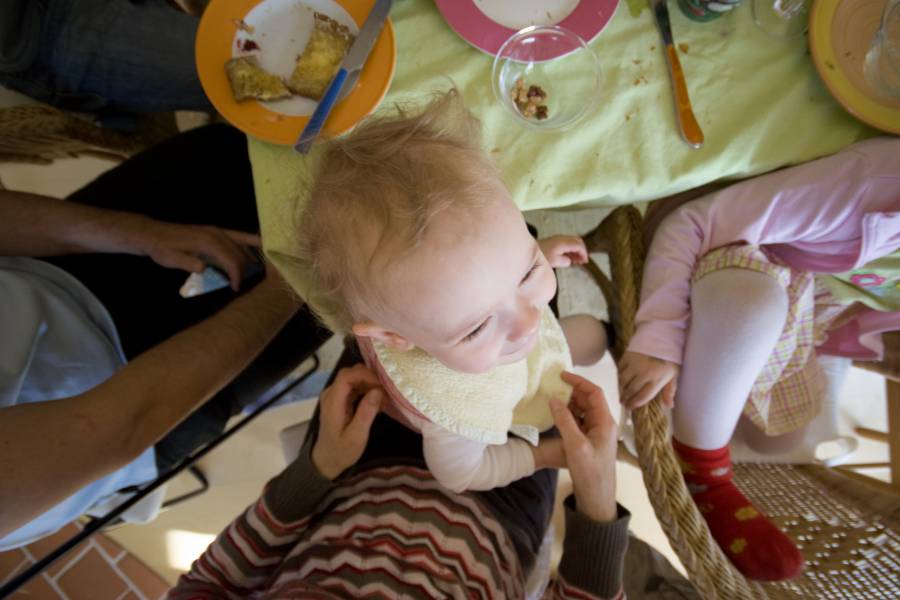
(354, 61)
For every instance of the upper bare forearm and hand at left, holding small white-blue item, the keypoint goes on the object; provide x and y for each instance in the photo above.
(34, 225)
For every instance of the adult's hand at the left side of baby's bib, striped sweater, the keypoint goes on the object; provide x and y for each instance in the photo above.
(347, 409)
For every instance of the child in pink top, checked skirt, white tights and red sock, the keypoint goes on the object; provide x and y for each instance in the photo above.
(727, 322)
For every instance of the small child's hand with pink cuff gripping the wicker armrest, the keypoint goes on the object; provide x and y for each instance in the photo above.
(642, 377)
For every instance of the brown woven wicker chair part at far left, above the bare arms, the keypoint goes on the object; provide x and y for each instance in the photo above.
(40, 134)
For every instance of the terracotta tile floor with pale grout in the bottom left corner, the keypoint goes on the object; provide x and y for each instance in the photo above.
(98, 569)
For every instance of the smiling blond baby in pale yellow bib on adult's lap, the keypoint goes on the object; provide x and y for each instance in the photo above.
(411, 242)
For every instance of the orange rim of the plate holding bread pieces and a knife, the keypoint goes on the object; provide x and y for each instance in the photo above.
(215, 45)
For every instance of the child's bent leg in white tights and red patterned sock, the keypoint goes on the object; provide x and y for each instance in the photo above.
(737, 316)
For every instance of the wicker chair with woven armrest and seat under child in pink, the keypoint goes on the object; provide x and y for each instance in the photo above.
(849, 531)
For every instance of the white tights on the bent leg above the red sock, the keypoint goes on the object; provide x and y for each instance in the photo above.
(737, 316)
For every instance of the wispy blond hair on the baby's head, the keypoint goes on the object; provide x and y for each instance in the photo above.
(387, 180)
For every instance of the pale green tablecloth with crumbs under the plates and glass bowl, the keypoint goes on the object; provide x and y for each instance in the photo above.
(759, 101)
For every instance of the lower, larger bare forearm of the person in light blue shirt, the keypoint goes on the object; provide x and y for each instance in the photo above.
(49, 450)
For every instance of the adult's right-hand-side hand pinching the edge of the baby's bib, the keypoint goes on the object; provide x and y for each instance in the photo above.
(590, 442)
